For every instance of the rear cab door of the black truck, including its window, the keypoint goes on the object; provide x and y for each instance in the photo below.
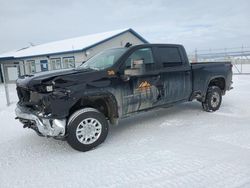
(175, 73)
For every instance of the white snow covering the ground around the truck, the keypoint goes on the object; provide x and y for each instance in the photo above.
(181, 146)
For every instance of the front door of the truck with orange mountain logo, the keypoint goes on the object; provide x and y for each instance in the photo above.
(144, 89)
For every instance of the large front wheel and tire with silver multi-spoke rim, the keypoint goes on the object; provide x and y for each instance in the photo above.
(87, 128)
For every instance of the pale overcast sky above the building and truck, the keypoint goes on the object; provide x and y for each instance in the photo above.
(194, 23)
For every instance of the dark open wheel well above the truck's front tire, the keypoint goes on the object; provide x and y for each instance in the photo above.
(105, 104)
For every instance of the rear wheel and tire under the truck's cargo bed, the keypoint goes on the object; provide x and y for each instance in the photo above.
(213, 99)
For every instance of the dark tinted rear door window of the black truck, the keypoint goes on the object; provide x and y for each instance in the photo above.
(169, 56)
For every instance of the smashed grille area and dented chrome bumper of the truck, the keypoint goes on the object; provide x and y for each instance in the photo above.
(34, 111)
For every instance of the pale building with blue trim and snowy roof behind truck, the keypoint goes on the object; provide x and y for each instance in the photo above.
(63, 54)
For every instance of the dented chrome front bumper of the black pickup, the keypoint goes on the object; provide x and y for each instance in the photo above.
(43, 125)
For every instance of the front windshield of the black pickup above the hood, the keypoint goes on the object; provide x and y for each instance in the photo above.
(104, 59)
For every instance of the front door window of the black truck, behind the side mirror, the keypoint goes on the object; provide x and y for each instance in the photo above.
(145, 55)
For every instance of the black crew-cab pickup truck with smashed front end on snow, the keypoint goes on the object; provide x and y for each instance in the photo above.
(79, 104)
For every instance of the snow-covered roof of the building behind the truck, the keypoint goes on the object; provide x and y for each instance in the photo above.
(68, 45)
